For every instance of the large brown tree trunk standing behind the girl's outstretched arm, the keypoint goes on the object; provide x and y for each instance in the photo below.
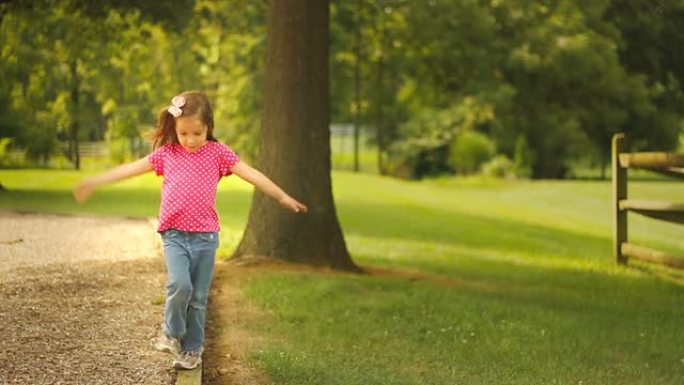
(295, 142)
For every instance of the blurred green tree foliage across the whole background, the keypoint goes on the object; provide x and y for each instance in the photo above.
(564, 75)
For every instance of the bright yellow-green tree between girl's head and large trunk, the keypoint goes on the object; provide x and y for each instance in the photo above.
(230, 62)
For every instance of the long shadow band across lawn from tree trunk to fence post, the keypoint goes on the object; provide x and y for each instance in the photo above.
(426, 224)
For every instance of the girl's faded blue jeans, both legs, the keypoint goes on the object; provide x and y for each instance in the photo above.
(190, 267)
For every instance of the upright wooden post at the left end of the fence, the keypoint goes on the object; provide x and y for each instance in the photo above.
(619, 175)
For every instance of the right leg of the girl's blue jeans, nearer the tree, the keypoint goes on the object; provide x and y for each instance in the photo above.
(203, 252)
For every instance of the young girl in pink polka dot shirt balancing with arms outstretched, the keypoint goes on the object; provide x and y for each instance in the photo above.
(192, 162)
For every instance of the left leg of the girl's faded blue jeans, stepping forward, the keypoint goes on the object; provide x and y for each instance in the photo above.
(178, 286)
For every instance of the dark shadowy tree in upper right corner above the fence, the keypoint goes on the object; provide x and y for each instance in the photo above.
(649, 42)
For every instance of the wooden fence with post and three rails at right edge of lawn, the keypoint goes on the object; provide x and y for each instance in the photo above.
(662, 163)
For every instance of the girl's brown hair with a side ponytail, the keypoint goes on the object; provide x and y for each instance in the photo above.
(197, 104)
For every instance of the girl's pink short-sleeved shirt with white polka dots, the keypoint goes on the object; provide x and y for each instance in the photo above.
(188, 201)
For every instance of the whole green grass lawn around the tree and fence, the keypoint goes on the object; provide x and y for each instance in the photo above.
(529, 292)
